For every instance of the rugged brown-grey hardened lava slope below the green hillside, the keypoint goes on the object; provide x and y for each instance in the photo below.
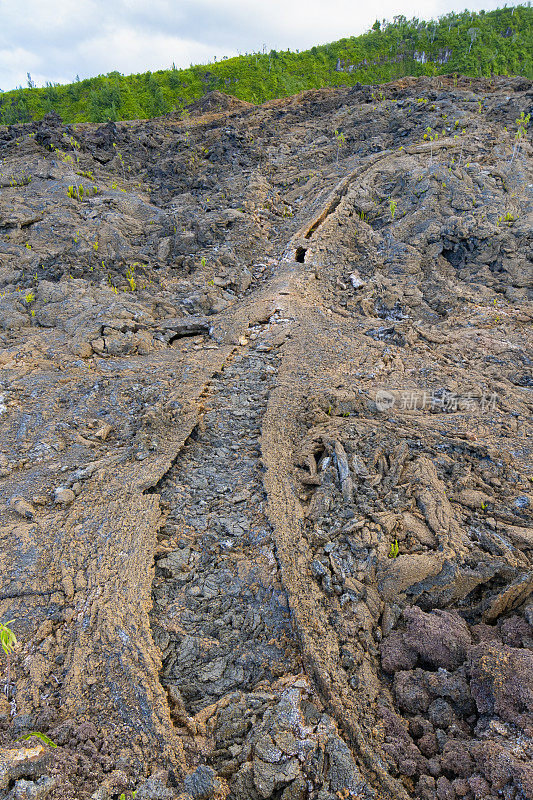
(266, 435)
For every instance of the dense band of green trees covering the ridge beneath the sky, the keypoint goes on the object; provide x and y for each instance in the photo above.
(481, 45)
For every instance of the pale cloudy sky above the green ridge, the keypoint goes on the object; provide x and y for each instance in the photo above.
(55, 40)
